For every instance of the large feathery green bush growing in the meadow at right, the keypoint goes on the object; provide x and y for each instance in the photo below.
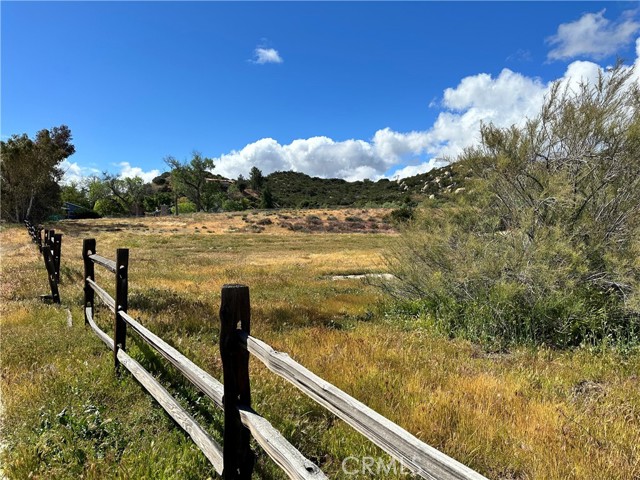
(544, 249)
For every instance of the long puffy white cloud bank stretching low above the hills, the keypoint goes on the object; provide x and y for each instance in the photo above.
(505, 100)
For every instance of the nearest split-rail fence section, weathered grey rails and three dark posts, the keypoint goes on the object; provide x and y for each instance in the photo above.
(236, 460)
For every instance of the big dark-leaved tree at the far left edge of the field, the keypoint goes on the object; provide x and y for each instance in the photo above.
(30, 172)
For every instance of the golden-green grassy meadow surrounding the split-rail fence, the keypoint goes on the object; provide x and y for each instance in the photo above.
(521, 414)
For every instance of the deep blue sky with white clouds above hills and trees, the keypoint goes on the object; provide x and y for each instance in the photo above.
(350, 90)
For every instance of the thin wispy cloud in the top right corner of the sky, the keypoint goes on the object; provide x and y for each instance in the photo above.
(592, 36)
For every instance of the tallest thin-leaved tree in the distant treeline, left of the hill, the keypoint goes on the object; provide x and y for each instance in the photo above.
(190, 179)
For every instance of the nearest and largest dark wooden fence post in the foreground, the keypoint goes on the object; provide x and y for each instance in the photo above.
(237, 455)
